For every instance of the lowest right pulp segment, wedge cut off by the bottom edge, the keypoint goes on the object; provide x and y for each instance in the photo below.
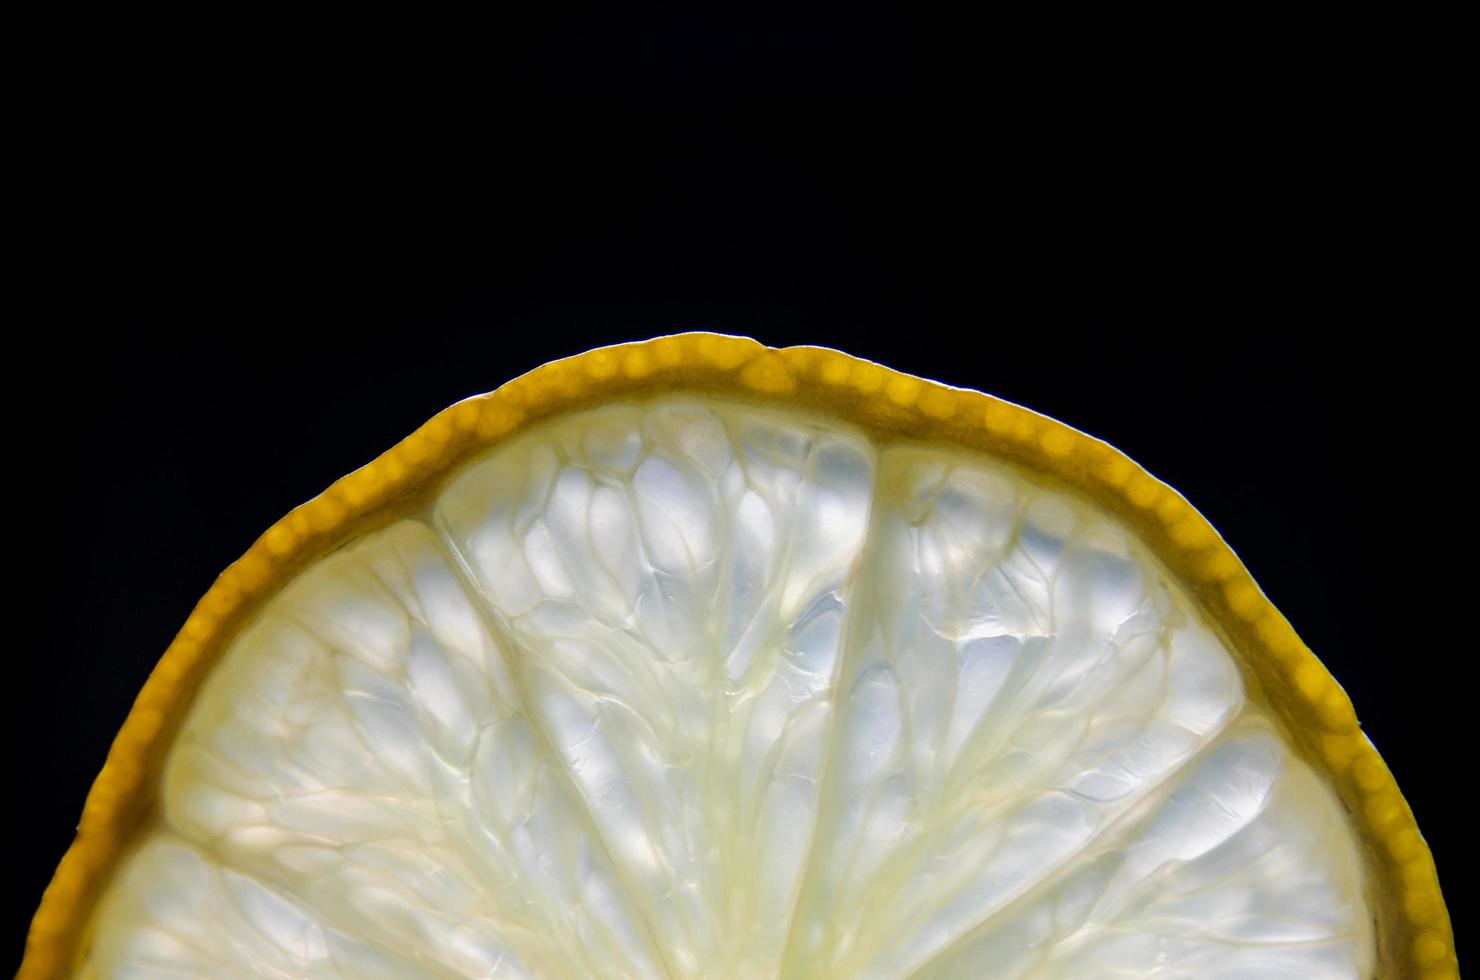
(1245, 870)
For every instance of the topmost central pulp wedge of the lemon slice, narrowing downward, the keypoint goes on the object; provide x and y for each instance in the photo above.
(674, 583)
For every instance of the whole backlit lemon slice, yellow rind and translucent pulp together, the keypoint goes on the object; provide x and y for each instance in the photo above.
(701, 660)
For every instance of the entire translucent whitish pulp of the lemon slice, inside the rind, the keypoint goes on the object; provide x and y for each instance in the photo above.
(701, 689)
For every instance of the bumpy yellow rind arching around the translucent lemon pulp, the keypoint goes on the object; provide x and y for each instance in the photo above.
(1416, 939)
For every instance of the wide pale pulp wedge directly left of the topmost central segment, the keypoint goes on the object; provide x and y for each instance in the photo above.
(365, 753)
